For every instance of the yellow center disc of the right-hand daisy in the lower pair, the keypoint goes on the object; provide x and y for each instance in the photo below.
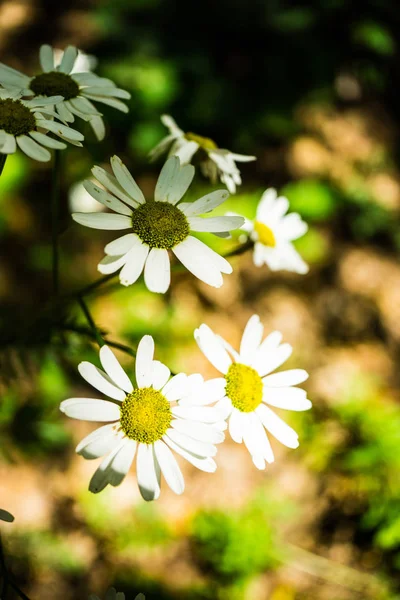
(243, 387)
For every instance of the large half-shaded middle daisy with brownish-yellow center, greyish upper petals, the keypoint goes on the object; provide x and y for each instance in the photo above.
(157, 226)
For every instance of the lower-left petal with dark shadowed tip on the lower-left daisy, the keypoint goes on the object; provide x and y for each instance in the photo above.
(114, 467)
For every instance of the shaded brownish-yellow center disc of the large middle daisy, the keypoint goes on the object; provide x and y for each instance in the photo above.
(160, 224)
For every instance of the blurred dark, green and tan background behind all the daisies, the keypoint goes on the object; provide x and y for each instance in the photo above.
(312, 90)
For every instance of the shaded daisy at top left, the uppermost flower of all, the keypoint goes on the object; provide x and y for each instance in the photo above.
(77, 89)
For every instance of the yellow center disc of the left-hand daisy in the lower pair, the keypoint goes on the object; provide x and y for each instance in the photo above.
(145, 415)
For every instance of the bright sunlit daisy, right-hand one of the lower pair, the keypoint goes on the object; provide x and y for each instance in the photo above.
(250, 388)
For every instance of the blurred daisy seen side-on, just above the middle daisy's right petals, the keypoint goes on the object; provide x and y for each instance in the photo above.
(216, 162)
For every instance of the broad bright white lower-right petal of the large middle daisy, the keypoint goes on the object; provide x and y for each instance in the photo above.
(203, 262)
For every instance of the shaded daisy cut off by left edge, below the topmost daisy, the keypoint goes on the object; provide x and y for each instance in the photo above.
(23, 124)
